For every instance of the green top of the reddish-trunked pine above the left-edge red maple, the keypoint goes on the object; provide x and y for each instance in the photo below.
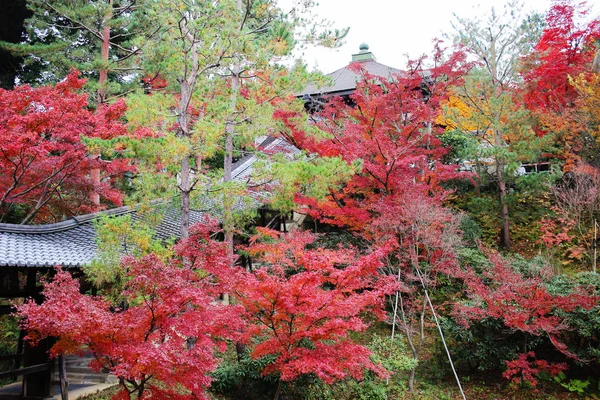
(94, 37)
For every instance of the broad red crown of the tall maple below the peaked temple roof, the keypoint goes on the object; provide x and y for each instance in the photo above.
(390, 130)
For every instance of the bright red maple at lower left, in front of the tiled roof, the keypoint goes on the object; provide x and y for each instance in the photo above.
(164, 341)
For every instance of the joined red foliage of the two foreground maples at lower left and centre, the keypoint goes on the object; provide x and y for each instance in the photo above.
(300, 307)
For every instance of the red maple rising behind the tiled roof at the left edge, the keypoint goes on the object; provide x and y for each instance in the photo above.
(44, 164)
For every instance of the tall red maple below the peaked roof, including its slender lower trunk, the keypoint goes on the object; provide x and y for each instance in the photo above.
(387, 135)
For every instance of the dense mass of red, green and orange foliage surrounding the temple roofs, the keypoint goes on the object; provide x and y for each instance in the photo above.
(460, 202)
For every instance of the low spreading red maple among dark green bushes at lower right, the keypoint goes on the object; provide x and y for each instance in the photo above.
(520, 307)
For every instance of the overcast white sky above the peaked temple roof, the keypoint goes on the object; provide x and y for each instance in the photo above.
(394, 28)
